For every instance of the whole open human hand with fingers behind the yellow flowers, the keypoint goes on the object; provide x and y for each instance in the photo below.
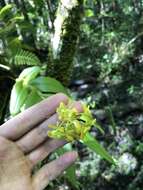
(24, 143)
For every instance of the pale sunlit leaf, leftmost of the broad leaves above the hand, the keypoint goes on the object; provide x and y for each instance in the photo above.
(18, 96)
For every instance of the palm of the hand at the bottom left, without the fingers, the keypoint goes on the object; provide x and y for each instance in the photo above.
(15, 168)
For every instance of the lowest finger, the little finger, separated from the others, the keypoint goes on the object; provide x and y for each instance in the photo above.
(53, 170)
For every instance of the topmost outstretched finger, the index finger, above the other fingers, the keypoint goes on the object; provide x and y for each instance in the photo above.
(24, 122)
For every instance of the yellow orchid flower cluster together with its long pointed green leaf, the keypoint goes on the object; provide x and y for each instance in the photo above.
(74, 126)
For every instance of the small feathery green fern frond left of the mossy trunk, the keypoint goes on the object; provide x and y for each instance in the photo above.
(23, 57)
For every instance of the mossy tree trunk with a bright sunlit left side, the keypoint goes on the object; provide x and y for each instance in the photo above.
(65, 38)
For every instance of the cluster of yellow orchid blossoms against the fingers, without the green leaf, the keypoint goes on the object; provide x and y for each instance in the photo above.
(72, 125)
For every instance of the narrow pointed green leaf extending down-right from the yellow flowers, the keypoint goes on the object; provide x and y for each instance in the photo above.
(93, 144)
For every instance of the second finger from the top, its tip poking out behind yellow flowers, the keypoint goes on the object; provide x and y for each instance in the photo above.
(39, 134)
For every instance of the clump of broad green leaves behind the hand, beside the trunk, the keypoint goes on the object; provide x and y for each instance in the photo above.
(29, 89)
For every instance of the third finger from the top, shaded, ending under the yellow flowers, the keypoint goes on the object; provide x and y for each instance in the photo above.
(44, 150)
